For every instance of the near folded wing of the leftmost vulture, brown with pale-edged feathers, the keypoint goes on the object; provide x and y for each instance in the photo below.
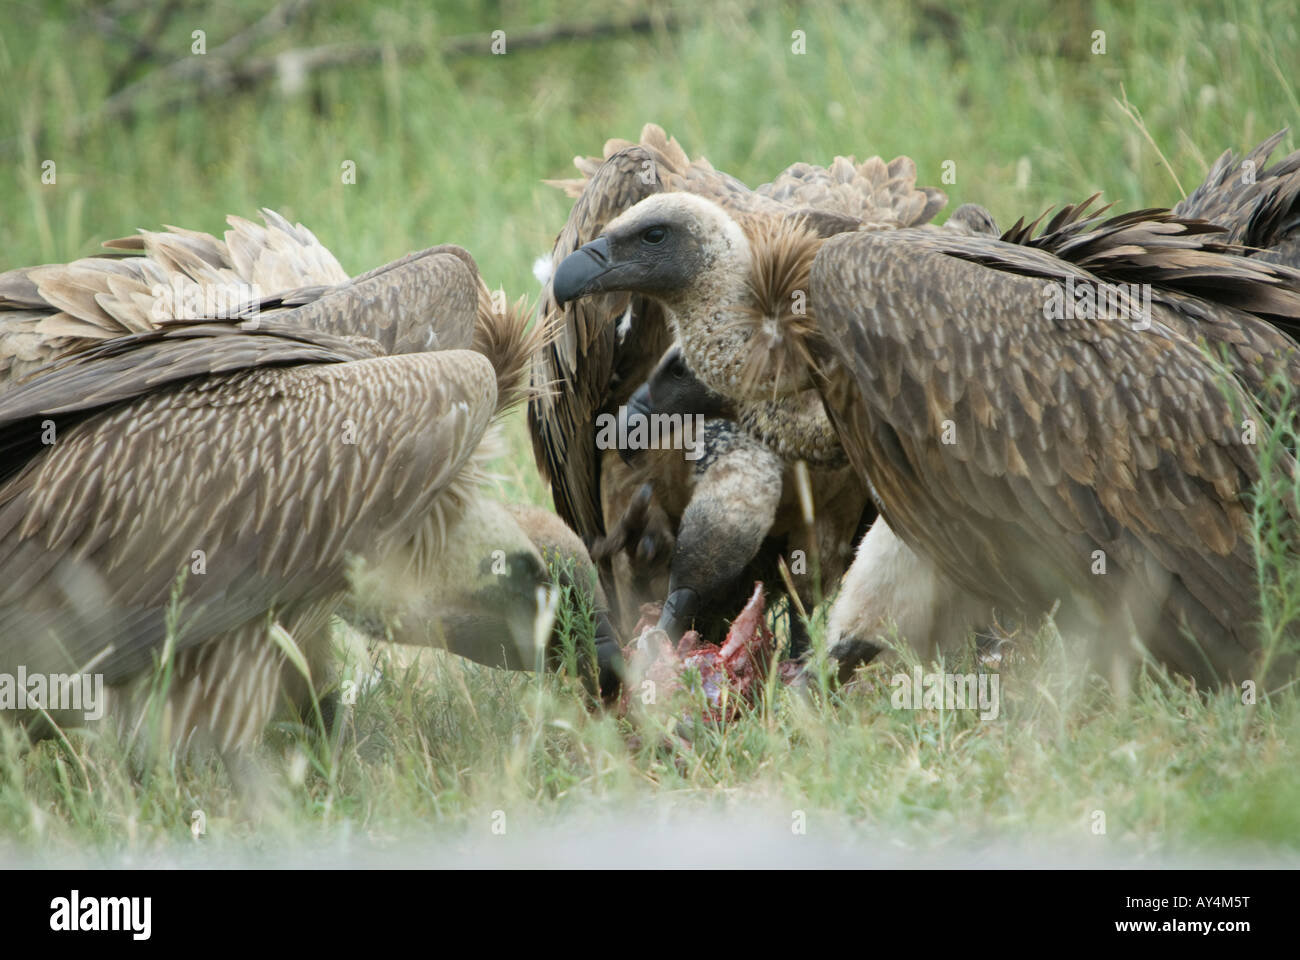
(279, 475)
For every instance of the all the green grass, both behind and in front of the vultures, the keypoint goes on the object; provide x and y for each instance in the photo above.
(453, 152)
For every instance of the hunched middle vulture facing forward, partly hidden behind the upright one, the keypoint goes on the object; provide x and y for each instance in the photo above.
(697, 533)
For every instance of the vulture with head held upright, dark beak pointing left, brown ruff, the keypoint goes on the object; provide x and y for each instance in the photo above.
(1052, 420)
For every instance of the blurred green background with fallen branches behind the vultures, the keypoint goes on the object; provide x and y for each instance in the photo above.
(450, 141)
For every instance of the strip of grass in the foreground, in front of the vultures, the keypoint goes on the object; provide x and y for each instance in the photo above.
(436, 747)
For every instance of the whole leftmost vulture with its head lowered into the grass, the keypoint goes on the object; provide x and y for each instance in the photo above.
(206, 443)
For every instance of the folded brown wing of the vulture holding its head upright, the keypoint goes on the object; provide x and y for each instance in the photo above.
(1069, 436)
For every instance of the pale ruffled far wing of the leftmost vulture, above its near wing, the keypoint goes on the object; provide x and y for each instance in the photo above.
(185, 276)
